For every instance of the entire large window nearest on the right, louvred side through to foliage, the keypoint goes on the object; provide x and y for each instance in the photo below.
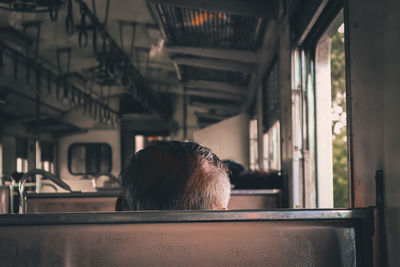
(320, 172)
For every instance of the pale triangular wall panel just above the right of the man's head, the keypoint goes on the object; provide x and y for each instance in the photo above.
(228, 139)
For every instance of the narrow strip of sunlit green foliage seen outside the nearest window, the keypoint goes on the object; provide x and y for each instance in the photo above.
(339, 142)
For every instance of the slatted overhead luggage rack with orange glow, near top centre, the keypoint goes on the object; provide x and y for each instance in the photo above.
(212, 29)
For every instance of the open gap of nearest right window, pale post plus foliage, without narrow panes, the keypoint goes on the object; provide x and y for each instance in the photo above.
(331, 116)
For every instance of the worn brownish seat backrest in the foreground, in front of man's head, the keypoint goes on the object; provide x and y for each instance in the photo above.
(184, 238)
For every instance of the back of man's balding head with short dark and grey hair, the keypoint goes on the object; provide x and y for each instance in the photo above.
(174, 175)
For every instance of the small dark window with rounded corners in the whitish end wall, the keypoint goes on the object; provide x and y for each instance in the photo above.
(89, 158)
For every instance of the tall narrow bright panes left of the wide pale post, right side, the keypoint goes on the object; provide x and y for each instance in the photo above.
(304, 169)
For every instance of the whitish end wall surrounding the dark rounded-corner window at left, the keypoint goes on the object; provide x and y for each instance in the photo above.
(109, 136)
